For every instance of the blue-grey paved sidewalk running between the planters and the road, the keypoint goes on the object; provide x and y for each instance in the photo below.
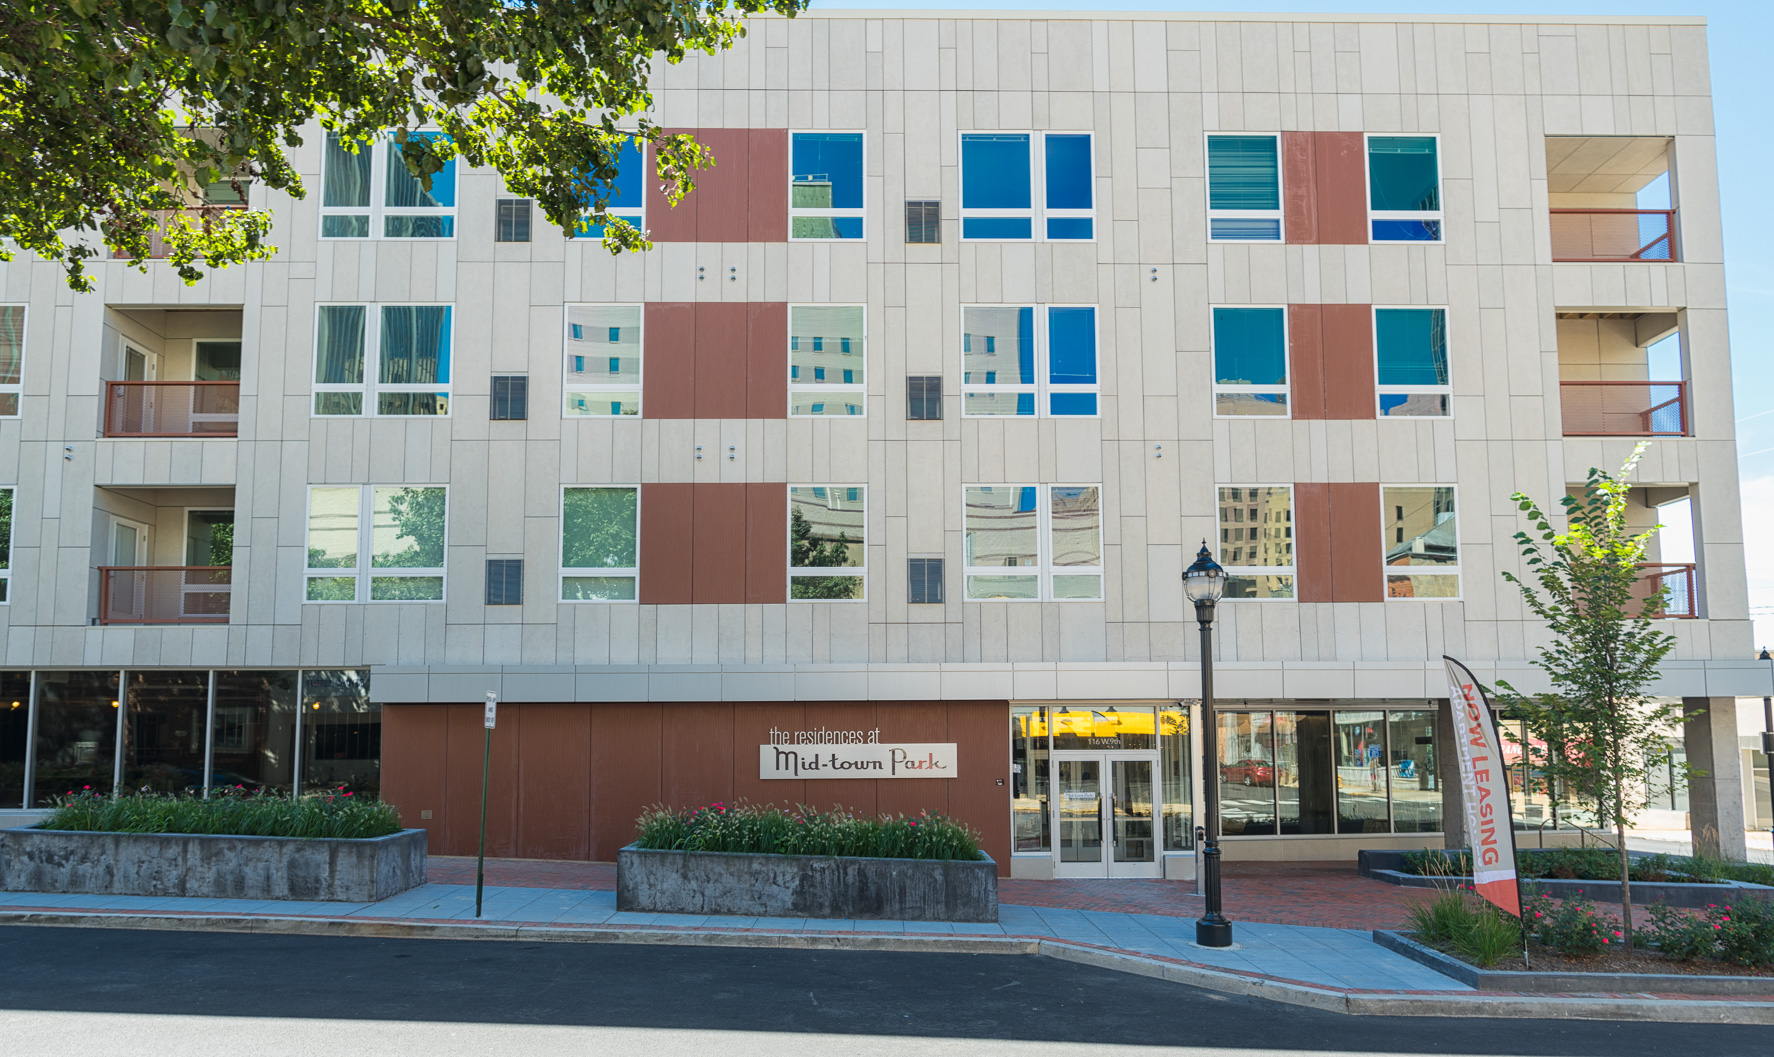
(1321, 967)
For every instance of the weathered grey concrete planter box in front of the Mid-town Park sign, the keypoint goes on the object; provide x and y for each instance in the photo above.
(806, 886)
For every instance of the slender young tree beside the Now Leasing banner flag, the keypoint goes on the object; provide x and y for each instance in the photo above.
(1599, 733)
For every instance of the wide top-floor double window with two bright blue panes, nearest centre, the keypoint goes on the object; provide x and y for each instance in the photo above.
(1026, 187)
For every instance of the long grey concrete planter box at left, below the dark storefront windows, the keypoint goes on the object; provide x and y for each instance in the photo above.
(212, 866)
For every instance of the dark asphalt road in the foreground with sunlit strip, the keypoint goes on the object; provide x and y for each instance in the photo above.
(153, 994)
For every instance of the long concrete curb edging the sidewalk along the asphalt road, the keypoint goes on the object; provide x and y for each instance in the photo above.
(1637, 1006)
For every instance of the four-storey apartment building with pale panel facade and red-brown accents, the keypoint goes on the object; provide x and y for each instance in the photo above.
(895, 446)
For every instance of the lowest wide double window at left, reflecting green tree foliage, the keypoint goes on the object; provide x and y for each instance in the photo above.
(398, 560)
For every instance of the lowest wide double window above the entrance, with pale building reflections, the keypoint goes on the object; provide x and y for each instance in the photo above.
(1049, 535)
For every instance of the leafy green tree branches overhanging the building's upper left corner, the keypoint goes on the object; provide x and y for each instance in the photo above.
(114, 113)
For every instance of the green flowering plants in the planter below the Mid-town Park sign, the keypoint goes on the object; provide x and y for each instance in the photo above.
(803, 831)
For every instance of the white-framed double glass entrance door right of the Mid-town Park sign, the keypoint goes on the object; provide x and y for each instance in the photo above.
(1106, 811)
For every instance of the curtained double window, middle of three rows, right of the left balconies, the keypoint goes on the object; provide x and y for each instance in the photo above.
(412, 361)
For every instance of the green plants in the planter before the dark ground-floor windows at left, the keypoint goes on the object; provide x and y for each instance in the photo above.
(235, 811)
